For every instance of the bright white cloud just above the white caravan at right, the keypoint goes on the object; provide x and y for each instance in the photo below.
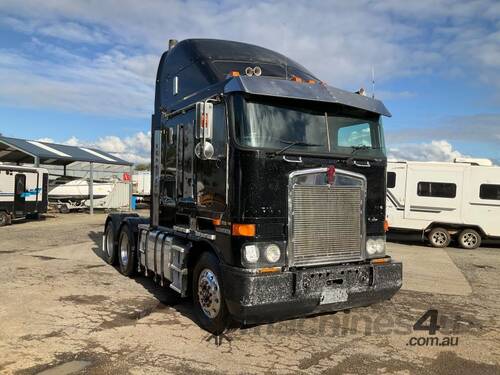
(434, 151)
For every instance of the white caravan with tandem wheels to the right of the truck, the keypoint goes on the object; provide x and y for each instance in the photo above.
(445, 201)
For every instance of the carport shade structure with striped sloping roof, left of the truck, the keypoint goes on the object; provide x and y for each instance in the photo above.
(22, 151)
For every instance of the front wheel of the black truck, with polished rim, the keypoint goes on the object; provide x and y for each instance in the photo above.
(208, 295)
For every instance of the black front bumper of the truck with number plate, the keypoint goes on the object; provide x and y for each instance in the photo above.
(258, 298)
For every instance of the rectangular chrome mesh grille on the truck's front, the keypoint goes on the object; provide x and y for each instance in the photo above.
(326, 224)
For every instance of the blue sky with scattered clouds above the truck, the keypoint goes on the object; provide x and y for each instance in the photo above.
(82, 72)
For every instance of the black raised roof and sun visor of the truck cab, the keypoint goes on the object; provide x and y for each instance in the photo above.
(206, 66)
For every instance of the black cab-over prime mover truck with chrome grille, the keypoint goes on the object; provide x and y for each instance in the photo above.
(268, 189)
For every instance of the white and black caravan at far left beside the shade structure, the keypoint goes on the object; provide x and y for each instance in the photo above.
(23, 192)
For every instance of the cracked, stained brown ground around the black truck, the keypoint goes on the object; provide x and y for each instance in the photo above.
(64, 310)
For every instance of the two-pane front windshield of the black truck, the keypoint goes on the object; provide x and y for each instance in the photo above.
(285, 128)
